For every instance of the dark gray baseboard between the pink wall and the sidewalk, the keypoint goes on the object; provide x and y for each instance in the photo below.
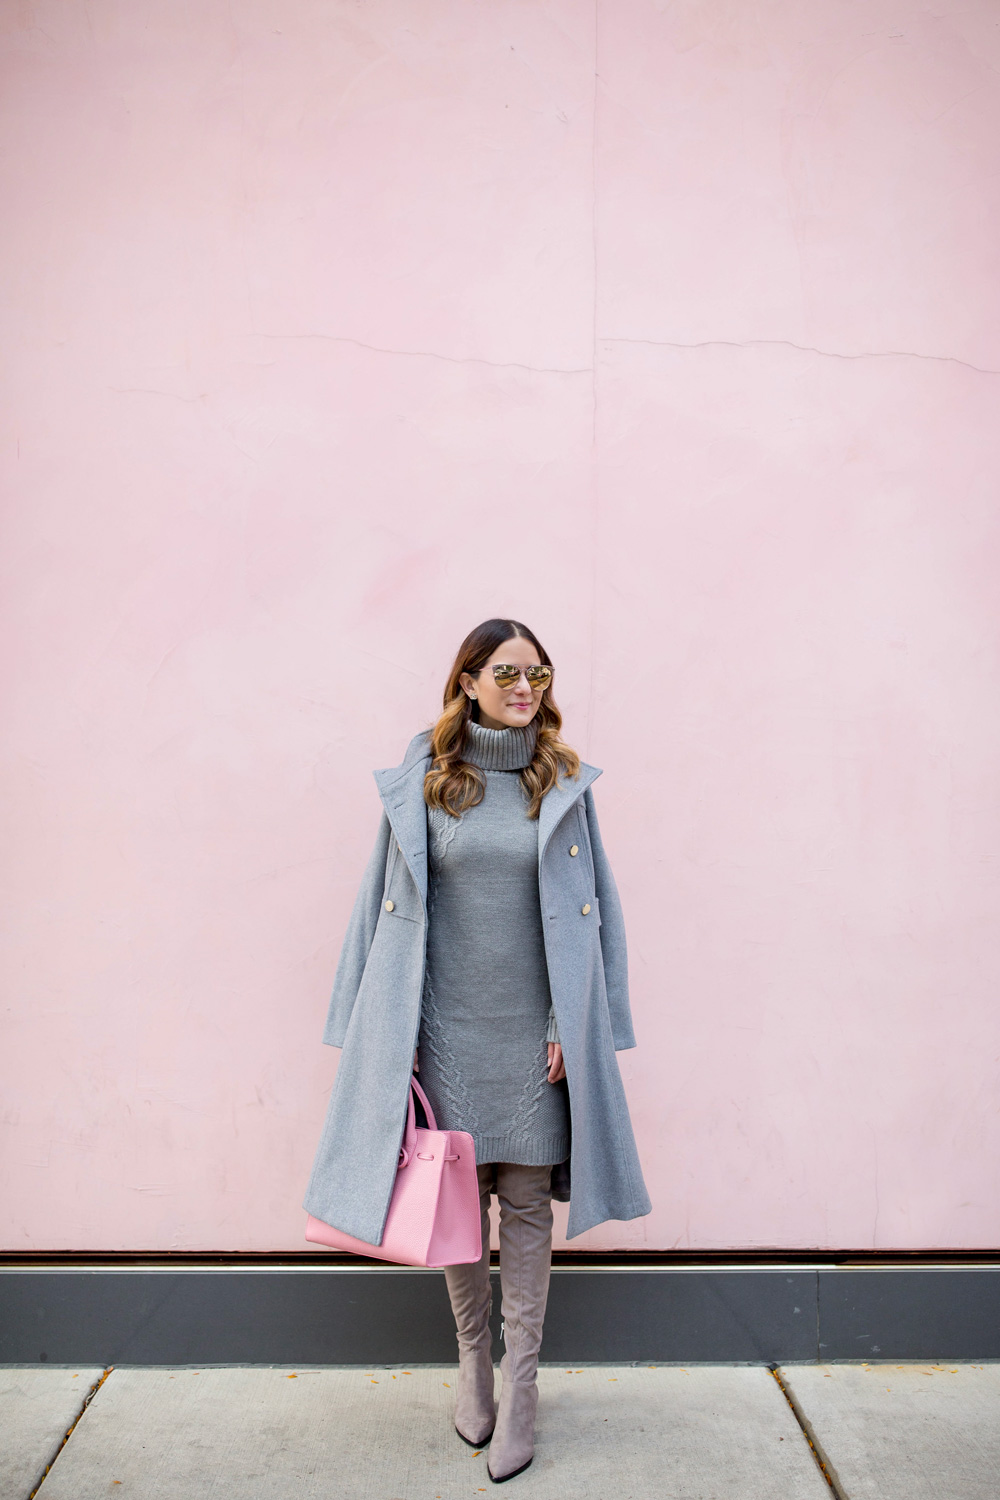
(286, 1313)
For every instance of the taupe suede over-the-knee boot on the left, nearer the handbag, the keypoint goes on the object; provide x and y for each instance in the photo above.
(472, 1298)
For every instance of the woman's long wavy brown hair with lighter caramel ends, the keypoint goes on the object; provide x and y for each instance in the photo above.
(452, 782)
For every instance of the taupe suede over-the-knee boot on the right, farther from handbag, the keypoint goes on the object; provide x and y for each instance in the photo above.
(525, 1199)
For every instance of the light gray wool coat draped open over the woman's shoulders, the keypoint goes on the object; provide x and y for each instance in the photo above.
(379, 988)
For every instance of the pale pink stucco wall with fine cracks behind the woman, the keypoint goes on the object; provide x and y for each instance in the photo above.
(329, 331)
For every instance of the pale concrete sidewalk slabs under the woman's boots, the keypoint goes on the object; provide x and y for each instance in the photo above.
(654, 1433)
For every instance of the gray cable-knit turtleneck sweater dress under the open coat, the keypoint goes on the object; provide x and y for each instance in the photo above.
(487, 1015)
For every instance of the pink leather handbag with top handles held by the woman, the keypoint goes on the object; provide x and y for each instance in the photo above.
(434, 1216)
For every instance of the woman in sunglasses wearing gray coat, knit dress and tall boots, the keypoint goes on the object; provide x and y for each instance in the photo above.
(488, 932)
